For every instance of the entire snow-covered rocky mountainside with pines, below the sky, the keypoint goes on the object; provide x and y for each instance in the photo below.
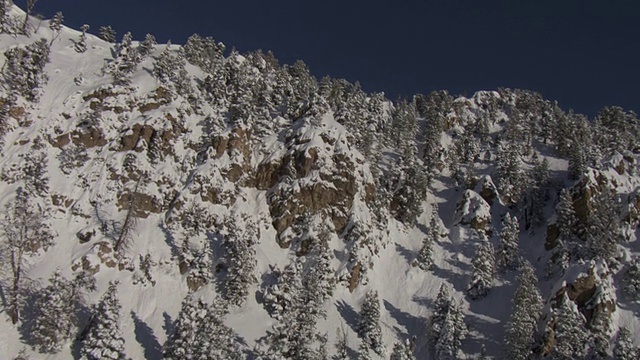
(192, 177)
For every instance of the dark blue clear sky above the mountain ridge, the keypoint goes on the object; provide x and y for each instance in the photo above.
(583, 53)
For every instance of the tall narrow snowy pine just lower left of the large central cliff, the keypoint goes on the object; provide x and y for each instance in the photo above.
(241, 263)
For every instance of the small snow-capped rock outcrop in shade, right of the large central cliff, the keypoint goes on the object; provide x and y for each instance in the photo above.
(474, 211)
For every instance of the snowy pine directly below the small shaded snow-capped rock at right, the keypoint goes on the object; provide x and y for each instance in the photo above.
(483, 270)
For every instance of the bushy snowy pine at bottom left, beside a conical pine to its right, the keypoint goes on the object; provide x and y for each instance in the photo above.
(57, 309)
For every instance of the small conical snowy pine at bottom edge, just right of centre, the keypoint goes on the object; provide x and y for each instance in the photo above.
(369, 328)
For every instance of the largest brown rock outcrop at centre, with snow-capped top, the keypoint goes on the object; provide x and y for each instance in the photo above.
(314, 175)
